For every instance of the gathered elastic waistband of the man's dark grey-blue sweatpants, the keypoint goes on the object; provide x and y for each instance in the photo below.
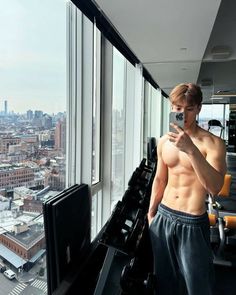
(182, 216)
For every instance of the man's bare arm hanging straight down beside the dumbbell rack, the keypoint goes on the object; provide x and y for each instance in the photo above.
(159, 183)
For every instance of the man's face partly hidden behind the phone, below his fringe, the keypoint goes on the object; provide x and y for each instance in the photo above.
(190, 112)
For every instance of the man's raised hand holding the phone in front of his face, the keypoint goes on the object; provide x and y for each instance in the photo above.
(181, 140)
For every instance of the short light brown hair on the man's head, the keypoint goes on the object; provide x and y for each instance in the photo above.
(189, 92)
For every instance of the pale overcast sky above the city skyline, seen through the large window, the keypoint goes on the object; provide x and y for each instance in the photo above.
(33, 55)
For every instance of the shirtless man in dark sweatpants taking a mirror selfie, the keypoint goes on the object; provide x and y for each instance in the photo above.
(191, 163)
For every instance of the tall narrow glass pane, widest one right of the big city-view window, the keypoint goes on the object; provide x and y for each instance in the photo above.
(118, 127)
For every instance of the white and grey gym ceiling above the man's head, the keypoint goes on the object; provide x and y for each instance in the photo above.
(174, 39)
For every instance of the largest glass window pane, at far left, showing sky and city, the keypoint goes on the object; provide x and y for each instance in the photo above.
(32, 133)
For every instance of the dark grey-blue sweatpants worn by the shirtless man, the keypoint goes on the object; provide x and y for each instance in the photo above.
(183, 260)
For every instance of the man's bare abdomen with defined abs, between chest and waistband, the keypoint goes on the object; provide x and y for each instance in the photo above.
(184, 193)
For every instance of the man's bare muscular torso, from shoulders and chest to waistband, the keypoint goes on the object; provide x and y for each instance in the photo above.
(184, 192)
